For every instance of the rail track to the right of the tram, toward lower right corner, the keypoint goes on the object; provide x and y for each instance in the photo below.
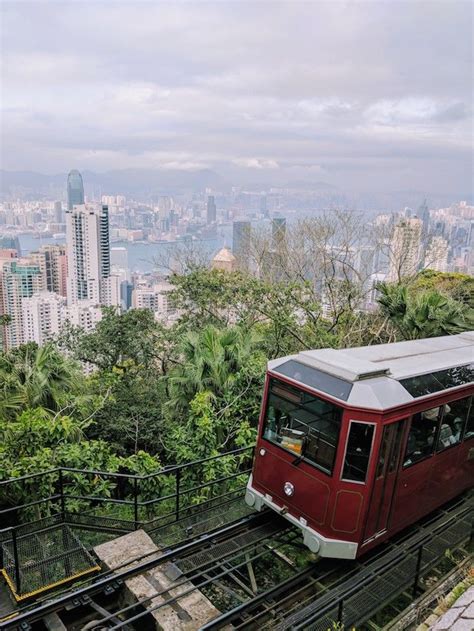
(312, 600)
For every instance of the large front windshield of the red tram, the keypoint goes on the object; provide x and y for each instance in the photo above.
(303, 424)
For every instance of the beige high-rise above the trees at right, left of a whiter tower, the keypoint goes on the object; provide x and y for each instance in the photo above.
(405, 249)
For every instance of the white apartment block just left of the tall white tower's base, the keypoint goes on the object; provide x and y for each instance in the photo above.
(42, 316)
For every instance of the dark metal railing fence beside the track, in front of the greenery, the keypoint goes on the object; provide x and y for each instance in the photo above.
(39, 547)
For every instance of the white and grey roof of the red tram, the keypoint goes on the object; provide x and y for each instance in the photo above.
(385, 375)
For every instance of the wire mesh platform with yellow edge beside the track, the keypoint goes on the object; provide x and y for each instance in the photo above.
(39, 561)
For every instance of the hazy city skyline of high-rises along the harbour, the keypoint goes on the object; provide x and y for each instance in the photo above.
(58, 284)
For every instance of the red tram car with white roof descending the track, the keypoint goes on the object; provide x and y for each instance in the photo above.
(356, 444)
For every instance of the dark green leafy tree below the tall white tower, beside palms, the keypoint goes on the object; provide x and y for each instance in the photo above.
(130, 352)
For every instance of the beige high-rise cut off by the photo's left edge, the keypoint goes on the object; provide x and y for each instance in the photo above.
(19, 279)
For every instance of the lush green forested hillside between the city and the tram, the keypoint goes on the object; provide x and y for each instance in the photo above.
(153, 395)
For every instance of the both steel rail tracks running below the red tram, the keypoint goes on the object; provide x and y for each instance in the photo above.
(221, 561)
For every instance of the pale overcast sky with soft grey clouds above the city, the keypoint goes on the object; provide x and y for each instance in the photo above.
(368, 95)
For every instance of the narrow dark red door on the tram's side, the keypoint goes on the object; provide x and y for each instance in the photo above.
(385, 480)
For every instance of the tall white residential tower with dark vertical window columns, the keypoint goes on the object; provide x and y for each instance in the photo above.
(88, 255)
